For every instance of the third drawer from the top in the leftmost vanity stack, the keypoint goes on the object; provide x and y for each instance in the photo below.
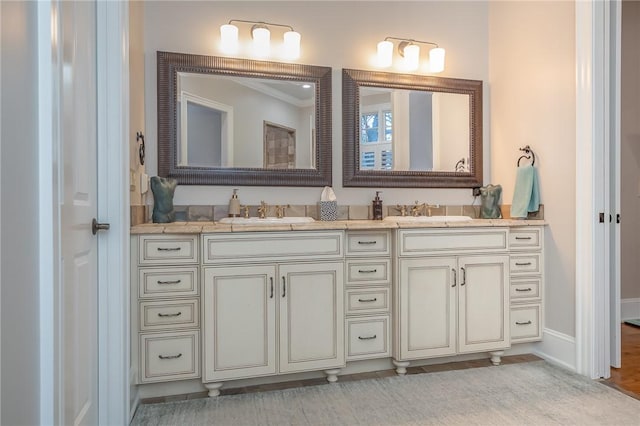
(169, 314)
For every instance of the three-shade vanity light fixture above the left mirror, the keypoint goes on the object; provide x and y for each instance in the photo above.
(261, 39)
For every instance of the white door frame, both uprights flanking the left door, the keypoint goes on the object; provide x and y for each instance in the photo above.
(113, 204)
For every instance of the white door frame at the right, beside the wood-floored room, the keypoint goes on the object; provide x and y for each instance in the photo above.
(597, 135)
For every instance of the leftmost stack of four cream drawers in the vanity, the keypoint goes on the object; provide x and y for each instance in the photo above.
(165, 307)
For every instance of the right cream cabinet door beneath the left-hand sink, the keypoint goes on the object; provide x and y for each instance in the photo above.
(311, 316)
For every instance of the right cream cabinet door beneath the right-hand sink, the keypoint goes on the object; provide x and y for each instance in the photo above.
(483, 296)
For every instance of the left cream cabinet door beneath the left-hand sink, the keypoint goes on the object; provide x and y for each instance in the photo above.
(239, 328)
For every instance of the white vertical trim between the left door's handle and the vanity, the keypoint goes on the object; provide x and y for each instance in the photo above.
(113, 207)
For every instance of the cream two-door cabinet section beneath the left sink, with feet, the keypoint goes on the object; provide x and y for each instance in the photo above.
(266, 315)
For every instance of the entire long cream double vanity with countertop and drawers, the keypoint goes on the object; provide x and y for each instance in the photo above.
(223, 302)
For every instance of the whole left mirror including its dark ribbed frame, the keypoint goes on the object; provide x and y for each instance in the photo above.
(227, 121)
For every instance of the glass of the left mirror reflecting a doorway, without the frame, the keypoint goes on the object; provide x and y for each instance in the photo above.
(234, 121)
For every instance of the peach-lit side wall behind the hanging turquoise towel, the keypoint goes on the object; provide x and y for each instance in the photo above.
(532, 95)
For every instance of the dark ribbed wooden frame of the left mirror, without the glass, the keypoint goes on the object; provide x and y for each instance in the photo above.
(169, 64)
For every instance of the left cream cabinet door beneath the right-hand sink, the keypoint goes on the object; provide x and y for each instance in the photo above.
(427, 307)
